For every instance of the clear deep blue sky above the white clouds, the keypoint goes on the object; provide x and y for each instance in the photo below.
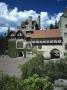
(51, 6)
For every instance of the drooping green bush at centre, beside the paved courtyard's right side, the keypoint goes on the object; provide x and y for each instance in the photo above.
(33, 66)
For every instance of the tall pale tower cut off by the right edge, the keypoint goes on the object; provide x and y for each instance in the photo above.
(63, 28)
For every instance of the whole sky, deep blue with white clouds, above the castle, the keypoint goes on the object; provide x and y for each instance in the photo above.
(13, 12)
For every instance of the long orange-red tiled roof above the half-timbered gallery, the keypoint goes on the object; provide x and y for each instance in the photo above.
(53, 33)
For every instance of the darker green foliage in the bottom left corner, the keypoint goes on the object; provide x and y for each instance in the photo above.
(8, 83)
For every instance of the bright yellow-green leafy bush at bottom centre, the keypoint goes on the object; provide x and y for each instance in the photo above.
(36, 83)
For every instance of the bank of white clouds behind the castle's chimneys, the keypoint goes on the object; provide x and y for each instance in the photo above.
(13, 17)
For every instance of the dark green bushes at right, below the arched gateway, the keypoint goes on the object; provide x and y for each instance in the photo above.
(56, 70)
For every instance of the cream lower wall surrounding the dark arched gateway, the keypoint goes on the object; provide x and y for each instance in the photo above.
(46, 49)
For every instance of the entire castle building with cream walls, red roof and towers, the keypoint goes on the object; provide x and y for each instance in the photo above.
(51, 43)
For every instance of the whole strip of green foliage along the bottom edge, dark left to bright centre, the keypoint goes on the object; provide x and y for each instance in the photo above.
(32, 83)
